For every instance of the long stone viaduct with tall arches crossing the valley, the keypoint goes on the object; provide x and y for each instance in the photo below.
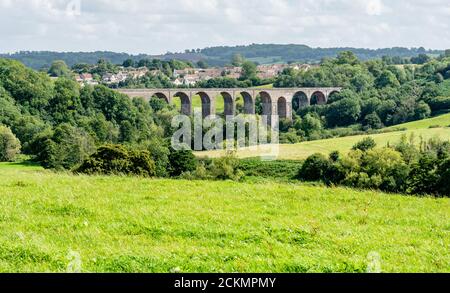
(277, 101)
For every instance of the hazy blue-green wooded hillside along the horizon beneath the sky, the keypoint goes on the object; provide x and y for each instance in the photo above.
(263, 54)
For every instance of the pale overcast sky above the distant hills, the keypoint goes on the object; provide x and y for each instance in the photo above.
(158, 26)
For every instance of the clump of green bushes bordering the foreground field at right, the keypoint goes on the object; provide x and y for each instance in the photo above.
(407, 168)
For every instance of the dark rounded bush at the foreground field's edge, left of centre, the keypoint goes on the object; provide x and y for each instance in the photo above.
(115, 159)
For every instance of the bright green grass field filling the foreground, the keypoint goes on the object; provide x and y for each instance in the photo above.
(58, 222)
